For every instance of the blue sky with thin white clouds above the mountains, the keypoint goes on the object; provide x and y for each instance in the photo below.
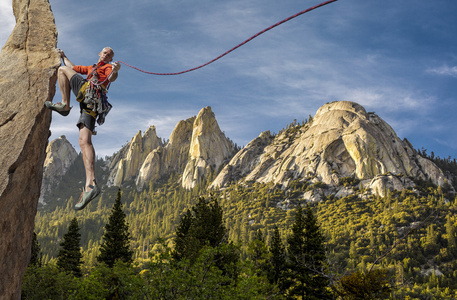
(396, 58)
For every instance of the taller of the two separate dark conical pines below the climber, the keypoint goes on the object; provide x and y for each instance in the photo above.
(116, 238)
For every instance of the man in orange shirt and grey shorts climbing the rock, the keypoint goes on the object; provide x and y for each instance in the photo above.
(91, 93)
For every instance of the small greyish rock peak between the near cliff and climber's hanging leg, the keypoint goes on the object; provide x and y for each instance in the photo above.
(60, 155)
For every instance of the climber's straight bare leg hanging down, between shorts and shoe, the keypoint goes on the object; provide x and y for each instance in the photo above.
(88, 151)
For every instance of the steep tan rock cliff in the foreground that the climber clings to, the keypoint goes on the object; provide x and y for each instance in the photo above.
(28, 65)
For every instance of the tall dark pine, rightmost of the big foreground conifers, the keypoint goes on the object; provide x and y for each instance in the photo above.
(306, 253)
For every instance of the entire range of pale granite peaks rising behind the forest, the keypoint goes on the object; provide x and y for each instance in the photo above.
(341, 142)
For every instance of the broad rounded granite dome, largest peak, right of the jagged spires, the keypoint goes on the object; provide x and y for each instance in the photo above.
(342, 140)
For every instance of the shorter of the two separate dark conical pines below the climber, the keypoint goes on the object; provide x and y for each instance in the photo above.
(69, 257)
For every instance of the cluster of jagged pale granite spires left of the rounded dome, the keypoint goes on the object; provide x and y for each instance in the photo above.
(196, 148)
